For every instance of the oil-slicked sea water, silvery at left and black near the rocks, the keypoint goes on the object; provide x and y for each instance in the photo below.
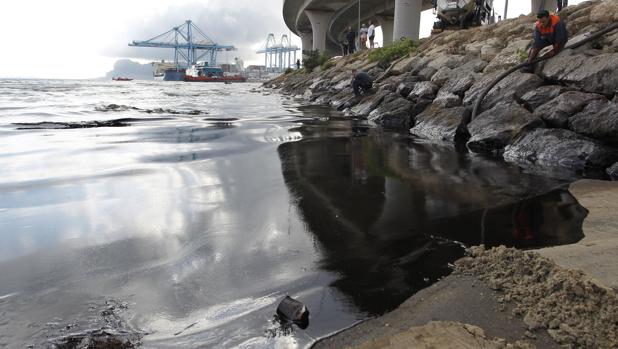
(183, 213)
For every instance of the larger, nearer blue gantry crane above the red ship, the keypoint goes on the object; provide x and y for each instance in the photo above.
(189, 43)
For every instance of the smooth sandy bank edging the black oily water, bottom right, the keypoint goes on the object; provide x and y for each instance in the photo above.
(468, 310)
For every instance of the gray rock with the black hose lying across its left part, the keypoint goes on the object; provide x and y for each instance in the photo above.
(511, 88)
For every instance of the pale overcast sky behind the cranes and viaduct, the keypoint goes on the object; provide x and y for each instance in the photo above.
(83, 39)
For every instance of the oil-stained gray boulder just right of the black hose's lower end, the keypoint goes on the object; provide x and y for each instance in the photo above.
(496, 128)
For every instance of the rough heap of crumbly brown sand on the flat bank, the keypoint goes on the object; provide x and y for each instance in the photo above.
(575, 311)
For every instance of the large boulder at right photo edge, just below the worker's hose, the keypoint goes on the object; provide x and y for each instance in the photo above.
(589, 73)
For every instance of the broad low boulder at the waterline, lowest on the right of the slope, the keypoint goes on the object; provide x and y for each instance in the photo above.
(559, 148)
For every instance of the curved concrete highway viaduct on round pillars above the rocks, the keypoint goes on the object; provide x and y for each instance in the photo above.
(321, 23)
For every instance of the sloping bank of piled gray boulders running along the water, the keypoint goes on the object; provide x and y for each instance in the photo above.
(564, 116)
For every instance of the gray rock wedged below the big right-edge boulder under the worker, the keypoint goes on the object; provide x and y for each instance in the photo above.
(556, 113)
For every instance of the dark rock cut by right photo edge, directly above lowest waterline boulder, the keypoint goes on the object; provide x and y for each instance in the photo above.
(598, 120)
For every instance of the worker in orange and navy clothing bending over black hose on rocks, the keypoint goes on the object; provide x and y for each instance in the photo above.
(548, 31)
